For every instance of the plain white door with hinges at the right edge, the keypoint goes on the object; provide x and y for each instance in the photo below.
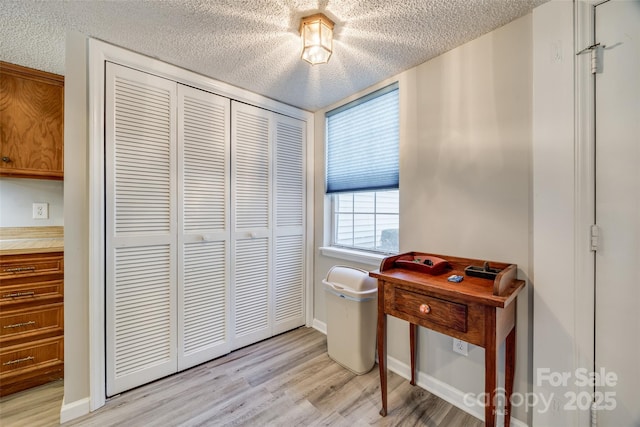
(617, 334)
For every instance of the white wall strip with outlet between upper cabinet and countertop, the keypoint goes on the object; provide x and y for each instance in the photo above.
(17, 196)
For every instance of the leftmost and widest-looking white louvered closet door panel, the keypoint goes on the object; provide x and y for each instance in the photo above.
(140, 228)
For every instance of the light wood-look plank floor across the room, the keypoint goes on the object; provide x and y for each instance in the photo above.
(288, 380)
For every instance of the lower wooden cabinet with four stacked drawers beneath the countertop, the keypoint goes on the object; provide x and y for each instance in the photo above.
(31, 320)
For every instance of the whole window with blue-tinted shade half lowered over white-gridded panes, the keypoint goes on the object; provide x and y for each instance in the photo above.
(363, 172)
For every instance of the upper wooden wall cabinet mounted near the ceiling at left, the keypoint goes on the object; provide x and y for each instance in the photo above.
(31, 122)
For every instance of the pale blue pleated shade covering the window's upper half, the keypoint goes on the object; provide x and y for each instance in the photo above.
(362, 143)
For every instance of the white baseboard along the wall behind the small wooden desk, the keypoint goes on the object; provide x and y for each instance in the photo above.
(443, 391)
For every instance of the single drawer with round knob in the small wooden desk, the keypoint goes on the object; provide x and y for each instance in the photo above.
(431, 310)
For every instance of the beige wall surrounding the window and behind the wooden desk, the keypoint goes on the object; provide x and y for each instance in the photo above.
(465, 184)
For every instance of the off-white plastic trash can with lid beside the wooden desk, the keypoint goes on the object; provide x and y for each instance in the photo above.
(351, 317)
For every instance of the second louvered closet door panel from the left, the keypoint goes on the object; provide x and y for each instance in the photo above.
(203, 240)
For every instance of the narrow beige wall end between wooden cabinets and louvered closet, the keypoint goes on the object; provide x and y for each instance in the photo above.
(76, 253)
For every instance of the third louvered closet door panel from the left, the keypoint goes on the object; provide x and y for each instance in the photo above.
(251, 224)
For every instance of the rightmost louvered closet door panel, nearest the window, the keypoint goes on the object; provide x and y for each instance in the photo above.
(289, 242)
